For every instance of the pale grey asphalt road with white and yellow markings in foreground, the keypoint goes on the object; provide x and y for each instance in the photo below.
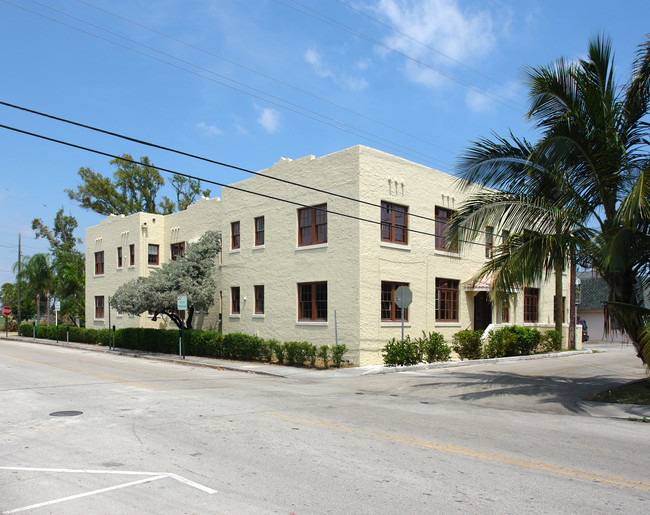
(155, 437)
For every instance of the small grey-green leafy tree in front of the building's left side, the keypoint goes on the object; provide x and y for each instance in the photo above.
(191, 275)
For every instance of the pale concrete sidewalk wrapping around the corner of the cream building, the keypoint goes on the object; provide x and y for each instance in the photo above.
(594, 409)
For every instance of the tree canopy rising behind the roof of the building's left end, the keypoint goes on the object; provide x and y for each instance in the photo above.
(134, 188)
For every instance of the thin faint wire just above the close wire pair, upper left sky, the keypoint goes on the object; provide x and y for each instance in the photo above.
(266, 76)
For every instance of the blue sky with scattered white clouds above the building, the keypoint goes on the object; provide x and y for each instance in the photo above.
(247, 83)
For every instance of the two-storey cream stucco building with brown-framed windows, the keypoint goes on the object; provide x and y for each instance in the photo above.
(320, 264)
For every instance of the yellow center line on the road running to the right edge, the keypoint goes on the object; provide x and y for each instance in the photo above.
(536, 465)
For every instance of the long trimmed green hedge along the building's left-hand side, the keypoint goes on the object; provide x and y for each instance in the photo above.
(237, 346)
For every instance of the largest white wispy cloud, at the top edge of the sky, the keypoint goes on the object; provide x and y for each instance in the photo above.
(443, 25)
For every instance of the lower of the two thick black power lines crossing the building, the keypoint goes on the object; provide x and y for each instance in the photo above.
(216, 183)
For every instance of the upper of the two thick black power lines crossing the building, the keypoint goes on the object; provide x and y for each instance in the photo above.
(205, 159)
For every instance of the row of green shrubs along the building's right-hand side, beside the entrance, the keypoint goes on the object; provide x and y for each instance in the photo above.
(505, 341)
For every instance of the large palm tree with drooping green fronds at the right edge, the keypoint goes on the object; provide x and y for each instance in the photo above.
(593, 141)
